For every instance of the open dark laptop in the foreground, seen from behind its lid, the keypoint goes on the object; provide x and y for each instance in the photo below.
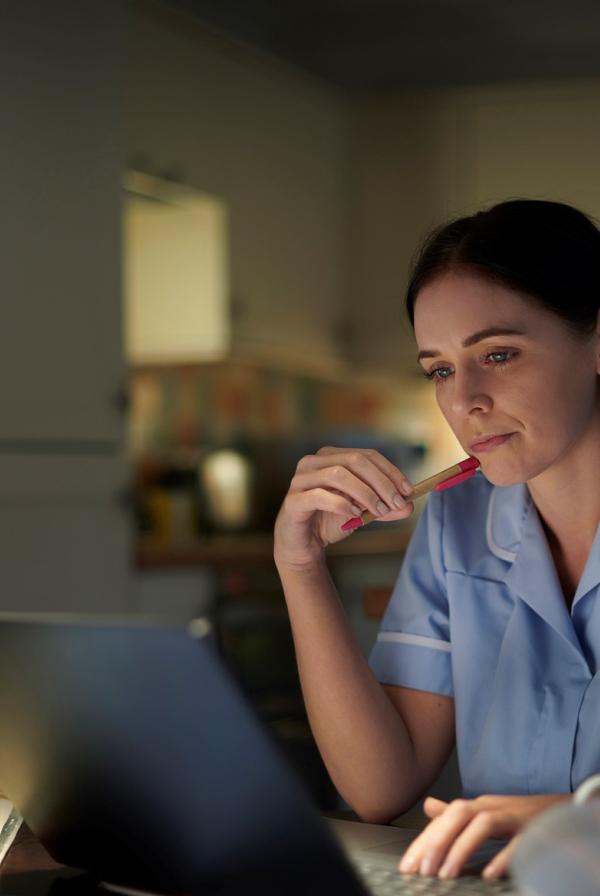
(131, 753)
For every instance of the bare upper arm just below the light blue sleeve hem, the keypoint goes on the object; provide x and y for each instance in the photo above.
(429, 720)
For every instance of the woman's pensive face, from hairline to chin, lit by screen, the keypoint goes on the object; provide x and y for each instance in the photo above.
(511, 379)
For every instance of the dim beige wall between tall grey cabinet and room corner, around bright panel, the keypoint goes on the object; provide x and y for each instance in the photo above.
(272, 143)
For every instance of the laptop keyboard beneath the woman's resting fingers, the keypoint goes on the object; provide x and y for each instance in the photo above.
(388, 882)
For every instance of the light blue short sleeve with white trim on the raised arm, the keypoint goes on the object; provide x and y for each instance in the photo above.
(413, 647)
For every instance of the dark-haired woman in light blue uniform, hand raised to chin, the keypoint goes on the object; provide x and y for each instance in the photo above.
(491, 640)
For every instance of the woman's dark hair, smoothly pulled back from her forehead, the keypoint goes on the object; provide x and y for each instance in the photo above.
(548, 250)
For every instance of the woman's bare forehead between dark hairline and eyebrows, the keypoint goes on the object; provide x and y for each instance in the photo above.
(458, 303)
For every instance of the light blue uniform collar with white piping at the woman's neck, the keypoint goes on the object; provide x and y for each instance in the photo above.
(515, 534)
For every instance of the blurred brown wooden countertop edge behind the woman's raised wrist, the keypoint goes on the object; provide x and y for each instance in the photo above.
(223, 550)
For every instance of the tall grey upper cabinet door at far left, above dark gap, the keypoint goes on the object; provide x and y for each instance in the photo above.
(61, 161)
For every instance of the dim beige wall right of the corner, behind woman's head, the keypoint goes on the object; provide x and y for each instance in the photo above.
(421, 158)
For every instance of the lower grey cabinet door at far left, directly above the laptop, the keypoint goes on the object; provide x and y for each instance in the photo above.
(64, 534)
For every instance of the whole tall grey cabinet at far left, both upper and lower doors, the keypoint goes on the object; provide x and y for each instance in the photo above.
(64, 532)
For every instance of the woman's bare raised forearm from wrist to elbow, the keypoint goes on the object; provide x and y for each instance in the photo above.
(361, 735)
